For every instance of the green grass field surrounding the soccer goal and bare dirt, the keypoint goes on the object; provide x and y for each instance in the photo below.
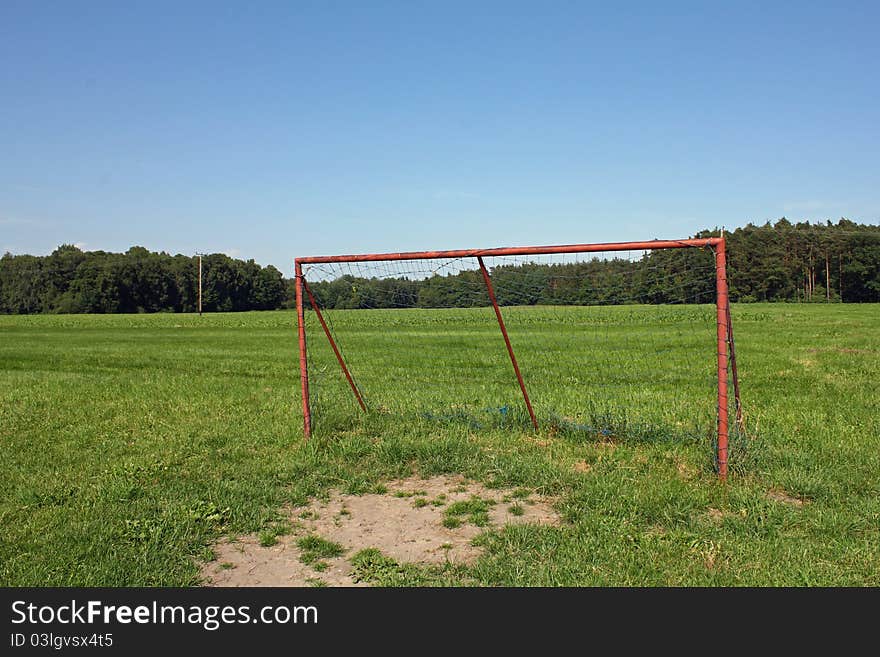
(131, 442)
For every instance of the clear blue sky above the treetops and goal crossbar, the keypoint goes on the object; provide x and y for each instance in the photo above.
(271, 130)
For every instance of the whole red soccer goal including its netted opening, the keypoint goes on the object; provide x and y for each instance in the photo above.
(629, 340)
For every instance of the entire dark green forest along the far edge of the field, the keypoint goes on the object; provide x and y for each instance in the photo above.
(790, 262)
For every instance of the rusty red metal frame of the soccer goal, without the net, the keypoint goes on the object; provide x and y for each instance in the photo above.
(726, 354)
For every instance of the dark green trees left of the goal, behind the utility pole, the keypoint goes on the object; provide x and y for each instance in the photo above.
(70, 280)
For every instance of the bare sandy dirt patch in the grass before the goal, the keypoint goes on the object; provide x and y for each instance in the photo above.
(417, 520)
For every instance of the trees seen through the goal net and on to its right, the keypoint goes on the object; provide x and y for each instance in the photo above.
(799, 262)
